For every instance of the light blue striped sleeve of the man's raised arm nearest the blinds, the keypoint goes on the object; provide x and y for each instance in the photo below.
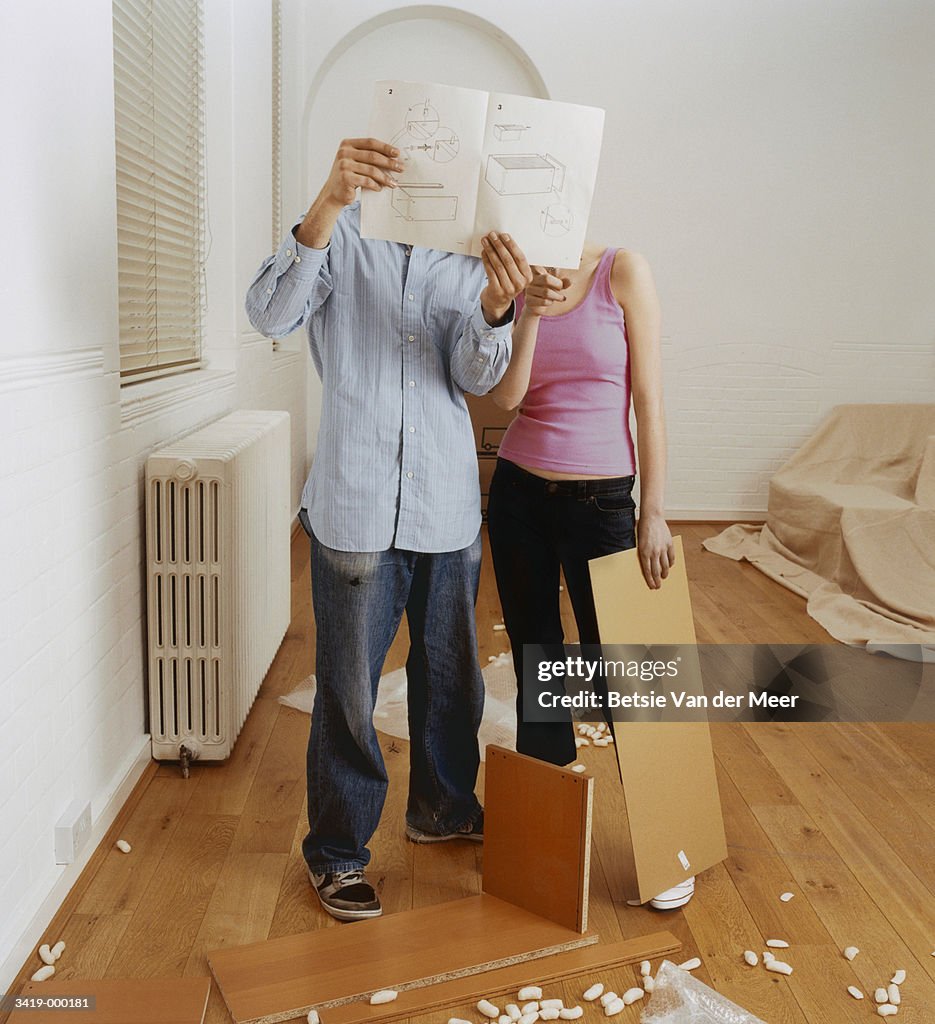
(288, 288)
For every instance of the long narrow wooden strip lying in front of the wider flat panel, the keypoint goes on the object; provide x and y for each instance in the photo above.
(600, 957)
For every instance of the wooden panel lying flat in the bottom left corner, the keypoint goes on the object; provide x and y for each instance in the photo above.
(156, 1001)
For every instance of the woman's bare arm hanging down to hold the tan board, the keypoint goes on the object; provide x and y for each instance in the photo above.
(635, 290)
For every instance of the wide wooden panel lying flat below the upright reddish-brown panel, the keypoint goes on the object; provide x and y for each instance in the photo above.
(284, 978)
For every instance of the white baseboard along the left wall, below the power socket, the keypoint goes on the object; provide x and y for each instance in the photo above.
(65, 878)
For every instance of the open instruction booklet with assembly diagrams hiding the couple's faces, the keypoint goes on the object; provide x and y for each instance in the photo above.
(478, 162)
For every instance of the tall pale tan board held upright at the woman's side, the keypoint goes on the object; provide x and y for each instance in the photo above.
(670, 786)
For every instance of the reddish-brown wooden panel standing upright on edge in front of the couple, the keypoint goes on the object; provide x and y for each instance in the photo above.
(546, 873)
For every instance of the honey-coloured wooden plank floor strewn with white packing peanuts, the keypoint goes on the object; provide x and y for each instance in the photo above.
(841, 816)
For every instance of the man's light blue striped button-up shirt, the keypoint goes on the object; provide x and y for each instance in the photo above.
(398, 336)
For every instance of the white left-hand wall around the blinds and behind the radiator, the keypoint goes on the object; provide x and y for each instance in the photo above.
(73, 443)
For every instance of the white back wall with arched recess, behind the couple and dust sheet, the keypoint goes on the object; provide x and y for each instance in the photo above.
(775, 160)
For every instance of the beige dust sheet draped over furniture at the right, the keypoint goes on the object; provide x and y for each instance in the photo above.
(852, 526)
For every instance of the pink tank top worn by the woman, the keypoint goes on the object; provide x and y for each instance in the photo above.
(576, 415)
